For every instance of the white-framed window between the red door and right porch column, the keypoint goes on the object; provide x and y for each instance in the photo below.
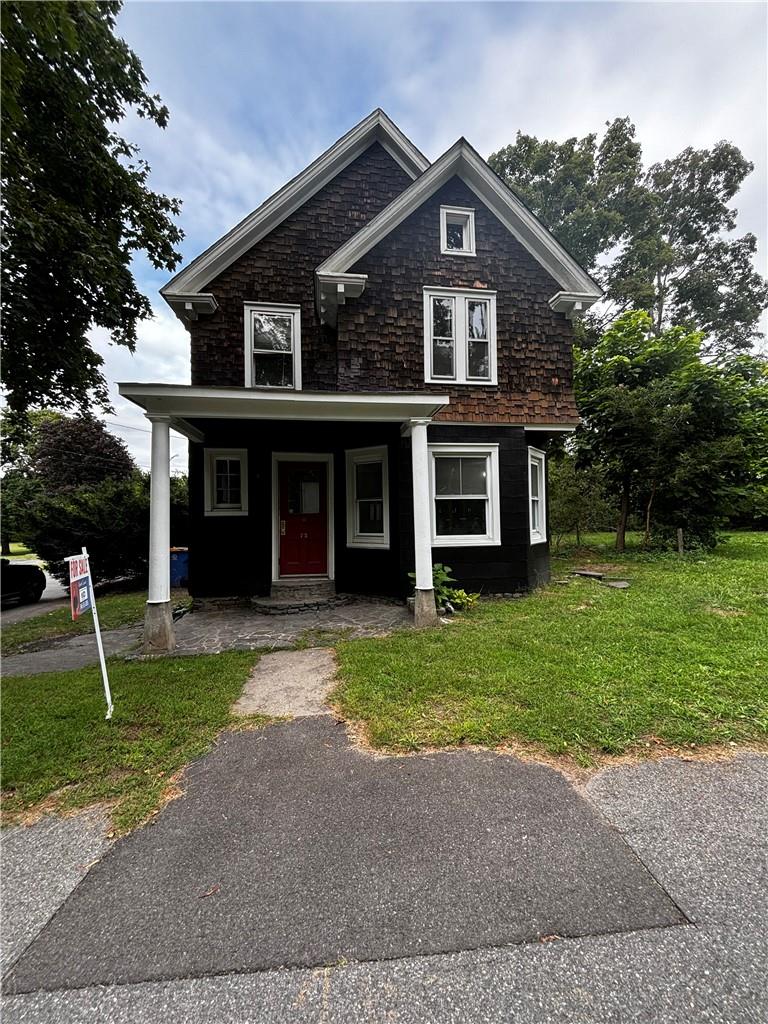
(368, 498)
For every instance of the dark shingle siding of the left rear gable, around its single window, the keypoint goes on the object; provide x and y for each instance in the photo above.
(281, 269)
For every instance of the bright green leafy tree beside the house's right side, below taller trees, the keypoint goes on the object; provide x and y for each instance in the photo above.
(681, 440)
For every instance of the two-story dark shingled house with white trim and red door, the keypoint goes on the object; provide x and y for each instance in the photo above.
(379, 356)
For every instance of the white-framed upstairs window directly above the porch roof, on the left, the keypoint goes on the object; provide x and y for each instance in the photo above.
(273, 346)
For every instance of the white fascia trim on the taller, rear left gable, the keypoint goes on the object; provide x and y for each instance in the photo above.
(376, 127)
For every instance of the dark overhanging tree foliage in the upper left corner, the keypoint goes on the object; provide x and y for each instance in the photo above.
(77, 205)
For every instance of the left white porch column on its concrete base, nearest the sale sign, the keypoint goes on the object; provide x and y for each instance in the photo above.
(159, 635)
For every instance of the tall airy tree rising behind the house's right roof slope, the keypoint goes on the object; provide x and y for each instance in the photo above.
(657, 239)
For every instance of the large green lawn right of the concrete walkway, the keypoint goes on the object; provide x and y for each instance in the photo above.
(681, 658)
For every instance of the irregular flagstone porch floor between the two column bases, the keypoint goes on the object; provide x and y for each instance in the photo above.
(242, 629)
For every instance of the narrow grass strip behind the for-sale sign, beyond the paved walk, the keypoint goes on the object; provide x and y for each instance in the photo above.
(115, 611)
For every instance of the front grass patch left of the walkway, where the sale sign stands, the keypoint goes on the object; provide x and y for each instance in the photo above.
(58, 749)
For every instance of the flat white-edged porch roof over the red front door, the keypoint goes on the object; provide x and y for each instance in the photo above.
(185, 402)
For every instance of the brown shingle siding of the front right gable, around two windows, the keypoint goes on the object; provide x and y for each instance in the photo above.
(381, 335)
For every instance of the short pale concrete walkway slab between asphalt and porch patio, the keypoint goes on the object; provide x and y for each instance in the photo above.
(289, 682)
